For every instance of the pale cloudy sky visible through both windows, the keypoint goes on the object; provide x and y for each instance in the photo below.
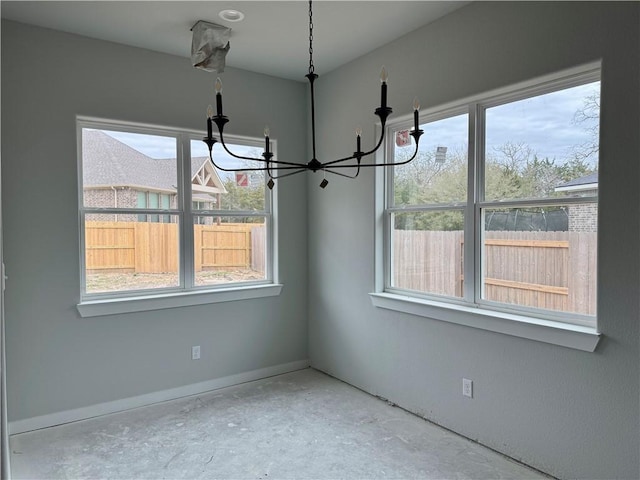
(545, 123)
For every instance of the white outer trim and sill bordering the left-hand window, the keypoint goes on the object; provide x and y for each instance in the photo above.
(186, 294)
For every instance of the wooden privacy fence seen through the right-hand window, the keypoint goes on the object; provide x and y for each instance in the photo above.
(552, 270)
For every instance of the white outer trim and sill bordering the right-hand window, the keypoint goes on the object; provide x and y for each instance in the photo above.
(550, 331)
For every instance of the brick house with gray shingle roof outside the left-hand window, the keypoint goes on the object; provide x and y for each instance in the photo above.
(116, 175)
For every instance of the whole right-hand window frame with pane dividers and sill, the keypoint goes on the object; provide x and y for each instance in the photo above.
(561, 328)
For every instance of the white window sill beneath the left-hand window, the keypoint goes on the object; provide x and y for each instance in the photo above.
(114, 306)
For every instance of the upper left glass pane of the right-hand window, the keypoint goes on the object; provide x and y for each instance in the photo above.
(438, 174)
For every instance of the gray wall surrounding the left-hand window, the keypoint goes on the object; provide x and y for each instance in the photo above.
(57, 360)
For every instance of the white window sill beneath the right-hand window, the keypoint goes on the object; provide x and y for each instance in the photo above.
(556, 333)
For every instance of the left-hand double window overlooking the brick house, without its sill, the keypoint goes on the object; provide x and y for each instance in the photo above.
(158, 218)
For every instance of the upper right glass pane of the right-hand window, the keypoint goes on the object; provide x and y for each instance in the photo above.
(544, 146)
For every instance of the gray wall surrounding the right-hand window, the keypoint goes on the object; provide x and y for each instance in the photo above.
(567, 412)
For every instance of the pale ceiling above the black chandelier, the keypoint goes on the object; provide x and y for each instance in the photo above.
(272, 39)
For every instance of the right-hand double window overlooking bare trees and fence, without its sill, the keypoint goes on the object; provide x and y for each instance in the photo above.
(498, 212)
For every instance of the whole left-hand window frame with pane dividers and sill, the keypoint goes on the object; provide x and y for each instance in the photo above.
(186, 293)
